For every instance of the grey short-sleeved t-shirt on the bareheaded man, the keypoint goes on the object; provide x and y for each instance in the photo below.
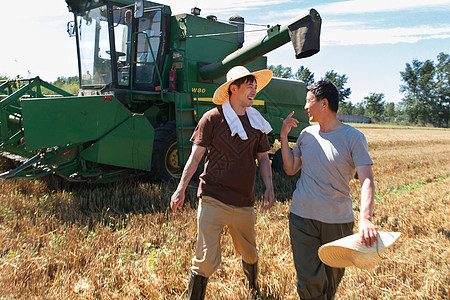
(329, 162)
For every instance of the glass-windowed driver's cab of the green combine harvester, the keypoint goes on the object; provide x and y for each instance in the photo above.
(118, 52)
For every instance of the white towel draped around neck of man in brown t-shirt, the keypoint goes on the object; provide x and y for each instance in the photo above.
(257, 121)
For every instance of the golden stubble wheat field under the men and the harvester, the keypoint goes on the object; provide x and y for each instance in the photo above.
(61, 240)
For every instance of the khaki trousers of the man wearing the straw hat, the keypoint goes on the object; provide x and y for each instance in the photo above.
(212, 216)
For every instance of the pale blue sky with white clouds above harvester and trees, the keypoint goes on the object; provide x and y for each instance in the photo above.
(368, 41)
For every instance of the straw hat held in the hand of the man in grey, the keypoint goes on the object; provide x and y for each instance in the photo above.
(347, 252)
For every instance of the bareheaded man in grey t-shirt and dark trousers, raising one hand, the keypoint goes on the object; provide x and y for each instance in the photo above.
(328, 154)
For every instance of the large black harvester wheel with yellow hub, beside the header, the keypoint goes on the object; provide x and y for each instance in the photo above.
(165, 165)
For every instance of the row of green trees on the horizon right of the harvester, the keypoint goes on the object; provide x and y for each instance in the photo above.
(426, 88)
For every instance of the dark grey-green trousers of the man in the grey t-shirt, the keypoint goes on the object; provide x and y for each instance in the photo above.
(314, 279)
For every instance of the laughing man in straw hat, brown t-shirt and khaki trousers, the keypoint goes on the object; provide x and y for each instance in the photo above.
(234, 136)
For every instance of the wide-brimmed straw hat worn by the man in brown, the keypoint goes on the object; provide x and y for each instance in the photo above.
(262, 79)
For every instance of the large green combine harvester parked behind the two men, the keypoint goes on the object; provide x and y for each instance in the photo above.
(146, 78)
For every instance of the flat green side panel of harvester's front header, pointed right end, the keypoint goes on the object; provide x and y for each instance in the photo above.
(50, 122)
